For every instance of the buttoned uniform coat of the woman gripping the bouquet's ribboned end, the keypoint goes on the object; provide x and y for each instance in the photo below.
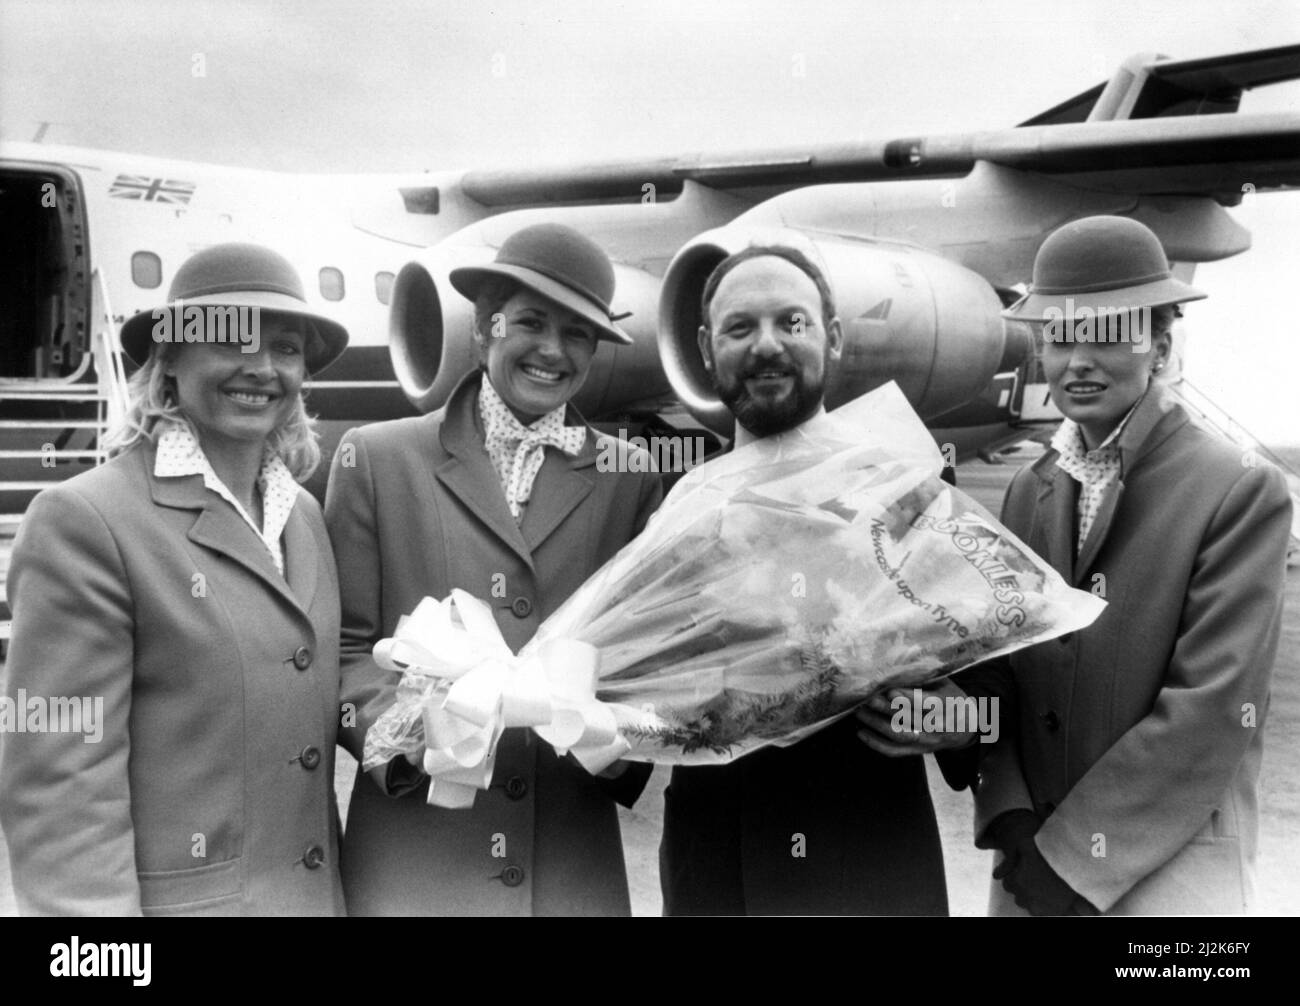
(415, 509)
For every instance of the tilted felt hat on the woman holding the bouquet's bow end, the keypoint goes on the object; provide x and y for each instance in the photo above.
(558, 263)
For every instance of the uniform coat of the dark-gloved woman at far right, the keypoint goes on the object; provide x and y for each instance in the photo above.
(1139, 738)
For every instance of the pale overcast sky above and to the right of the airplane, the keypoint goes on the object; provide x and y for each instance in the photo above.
(344, 88)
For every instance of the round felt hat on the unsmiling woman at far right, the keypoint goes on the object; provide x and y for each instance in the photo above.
(1103, 264)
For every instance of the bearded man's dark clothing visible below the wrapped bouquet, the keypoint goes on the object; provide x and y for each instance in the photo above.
(825, 827)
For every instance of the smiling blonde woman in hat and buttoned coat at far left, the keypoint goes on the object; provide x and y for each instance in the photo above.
(184, 599)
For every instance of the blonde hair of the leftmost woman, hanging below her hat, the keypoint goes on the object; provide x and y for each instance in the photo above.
(153, 402)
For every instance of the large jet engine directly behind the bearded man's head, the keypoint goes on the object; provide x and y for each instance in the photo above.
(908, 315)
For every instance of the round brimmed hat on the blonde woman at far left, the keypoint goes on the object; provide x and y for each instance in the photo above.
(242, 276)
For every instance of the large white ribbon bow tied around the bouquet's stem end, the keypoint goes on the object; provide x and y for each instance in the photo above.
(474, 688)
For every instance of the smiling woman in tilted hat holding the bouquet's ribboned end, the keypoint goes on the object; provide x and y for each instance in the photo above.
(499, 495)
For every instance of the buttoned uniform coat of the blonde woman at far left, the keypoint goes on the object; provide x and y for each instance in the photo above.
(211, 791)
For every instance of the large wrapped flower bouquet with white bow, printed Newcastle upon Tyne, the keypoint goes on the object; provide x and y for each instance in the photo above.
(777, 589)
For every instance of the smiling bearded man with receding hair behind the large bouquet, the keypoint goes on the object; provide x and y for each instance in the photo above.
(829, 826)
